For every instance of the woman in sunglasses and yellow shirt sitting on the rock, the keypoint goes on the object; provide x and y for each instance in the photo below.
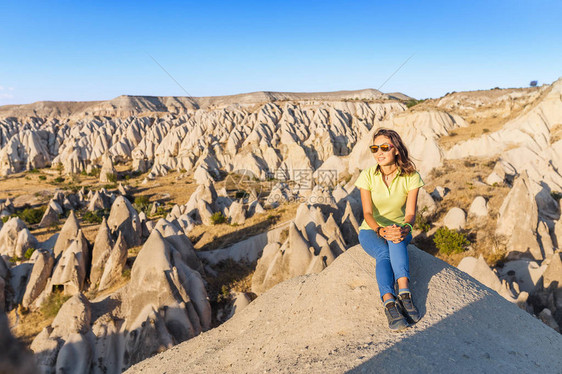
(389, 191)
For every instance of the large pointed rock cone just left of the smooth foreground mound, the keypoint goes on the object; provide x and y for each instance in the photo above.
(166, 301)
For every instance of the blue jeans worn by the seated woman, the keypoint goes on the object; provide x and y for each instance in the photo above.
(391, 259)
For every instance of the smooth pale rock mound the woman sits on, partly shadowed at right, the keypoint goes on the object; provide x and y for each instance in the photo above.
(283, 333)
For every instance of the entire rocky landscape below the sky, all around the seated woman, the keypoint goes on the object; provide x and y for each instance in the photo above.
(219, 234)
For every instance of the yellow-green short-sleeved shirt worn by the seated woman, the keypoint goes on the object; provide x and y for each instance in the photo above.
(389, 203)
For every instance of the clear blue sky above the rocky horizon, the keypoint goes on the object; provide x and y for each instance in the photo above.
(97, 50)
